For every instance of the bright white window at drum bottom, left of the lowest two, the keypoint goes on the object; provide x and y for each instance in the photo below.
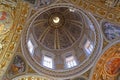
(48, 62)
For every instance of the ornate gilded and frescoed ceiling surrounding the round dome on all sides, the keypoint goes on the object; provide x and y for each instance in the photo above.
(15, 15)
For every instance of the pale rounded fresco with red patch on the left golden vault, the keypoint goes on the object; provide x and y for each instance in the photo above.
(5, 22)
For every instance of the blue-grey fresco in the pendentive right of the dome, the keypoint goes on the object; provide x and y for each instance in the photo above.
(111, 31)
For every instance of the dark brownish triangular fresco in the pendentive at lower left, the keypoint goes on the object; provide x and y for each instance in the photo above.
(18, 66)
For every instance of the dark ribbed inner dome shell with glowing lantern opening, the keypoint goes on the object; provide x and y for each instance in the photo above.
(58, 28)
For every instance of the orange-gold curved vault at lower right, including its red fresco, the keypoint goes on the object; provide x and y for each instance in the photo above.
(108, 66)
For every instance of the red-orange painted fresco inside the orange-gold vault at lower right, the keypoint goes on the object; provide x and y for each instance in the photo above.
(112, 67)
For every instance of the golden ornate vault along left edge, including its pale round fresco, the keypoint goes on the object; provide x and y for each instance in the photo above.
(10, 32)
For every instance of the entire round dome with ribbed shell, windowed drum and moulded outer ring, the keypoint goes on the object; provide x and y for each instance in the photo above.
(61, 40)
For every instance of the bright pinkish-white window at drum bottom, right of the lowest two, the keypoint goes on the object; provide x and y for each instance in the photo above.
(70, 61)
